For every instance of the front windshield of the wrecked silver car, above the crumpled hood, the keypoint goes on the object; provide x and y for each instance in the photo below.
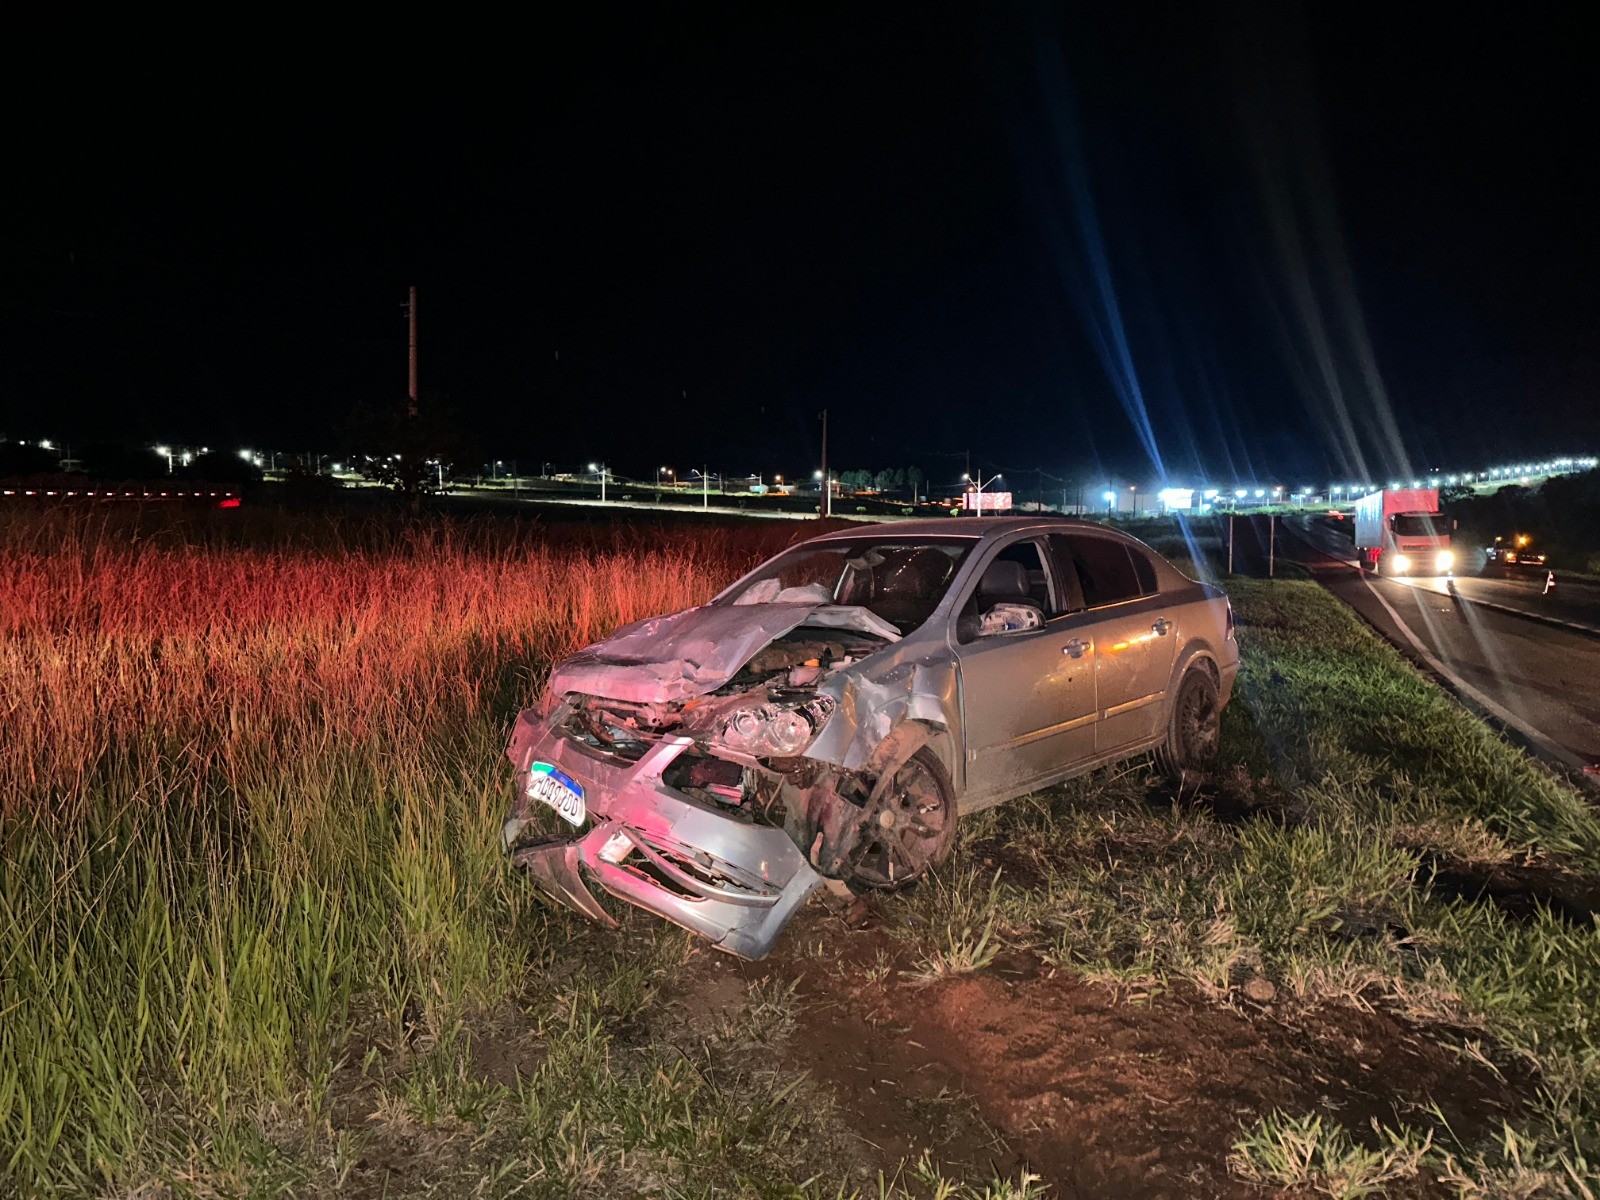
(897, 578)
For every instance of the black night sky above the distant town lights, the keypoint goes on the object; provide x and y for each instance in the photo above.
(1258, 241)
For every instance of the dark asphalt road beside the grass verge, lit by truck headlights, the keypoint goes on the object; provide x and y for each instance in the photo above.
(1540, 681)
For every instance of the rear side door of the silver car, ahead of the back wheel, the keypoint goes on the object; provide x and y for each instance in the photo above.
(1134, 634)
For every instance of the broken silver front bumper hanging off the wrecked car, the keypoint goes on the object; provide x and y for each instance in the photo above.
(730, 881)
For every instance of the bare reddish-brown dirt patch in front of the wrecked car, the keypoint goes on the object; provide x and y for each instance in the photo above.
(1020, 1066)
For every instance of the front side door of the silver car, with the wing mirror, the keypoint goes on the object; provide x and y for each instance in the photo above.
(1028, 697)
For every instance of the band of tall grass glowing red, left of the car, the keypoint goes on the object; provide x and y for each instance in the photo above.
(231, 657)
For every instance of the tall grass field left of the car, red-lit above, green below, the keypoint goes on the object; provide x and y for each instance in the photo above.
(250, 785)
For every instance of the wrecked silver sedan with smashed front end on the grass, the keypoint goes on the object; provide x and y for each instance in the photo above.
(834, 713)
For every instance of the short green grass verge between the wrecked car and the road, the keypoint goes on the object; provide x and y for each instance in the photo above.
(1366, 844)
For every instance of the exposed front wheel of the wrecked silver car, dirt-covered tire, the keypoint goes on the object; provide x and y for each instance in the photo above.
(913, 831)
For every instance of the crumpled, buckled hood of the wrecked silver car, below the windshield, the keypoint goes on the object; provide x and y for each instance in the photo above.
(668, 660)
